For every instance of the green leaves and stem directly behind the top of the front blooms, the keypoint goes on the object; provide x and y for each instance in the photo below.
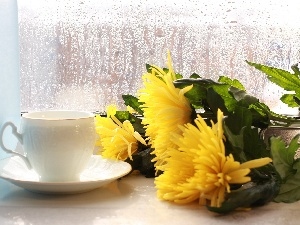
(210, 95)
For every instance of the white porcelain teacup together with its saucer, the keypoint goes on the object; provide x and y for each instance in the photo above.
(58, 154)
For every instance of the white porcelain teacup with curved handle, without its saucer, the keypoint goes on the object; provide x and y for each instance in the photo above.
(57, 144)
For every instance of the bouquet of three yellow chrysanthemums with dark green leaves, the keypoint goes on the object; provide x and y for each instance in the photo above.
(201, 141)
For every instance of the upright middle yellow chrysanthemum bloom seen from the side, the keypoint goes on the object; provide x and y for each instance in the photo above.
(165, 107)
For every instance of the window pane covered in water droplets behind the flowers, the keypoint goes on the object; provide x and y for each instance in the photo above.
(84, 54)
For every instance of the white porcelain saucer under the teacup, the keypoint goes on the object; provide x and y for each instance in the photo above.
(99, 172)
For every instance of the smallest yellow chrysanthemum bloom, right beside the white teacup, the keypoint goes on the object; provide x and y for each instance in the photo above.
(116, 140)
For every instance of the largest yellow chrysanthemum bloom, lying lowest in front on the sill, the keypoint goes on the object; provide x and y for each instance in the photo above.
(198, 167)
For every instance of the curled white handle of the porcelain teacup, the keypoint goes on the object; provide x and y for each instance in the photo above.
(20, 139)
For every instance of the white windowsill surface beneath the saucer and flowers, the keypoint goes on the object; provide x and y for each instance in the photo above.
(131, 200)
